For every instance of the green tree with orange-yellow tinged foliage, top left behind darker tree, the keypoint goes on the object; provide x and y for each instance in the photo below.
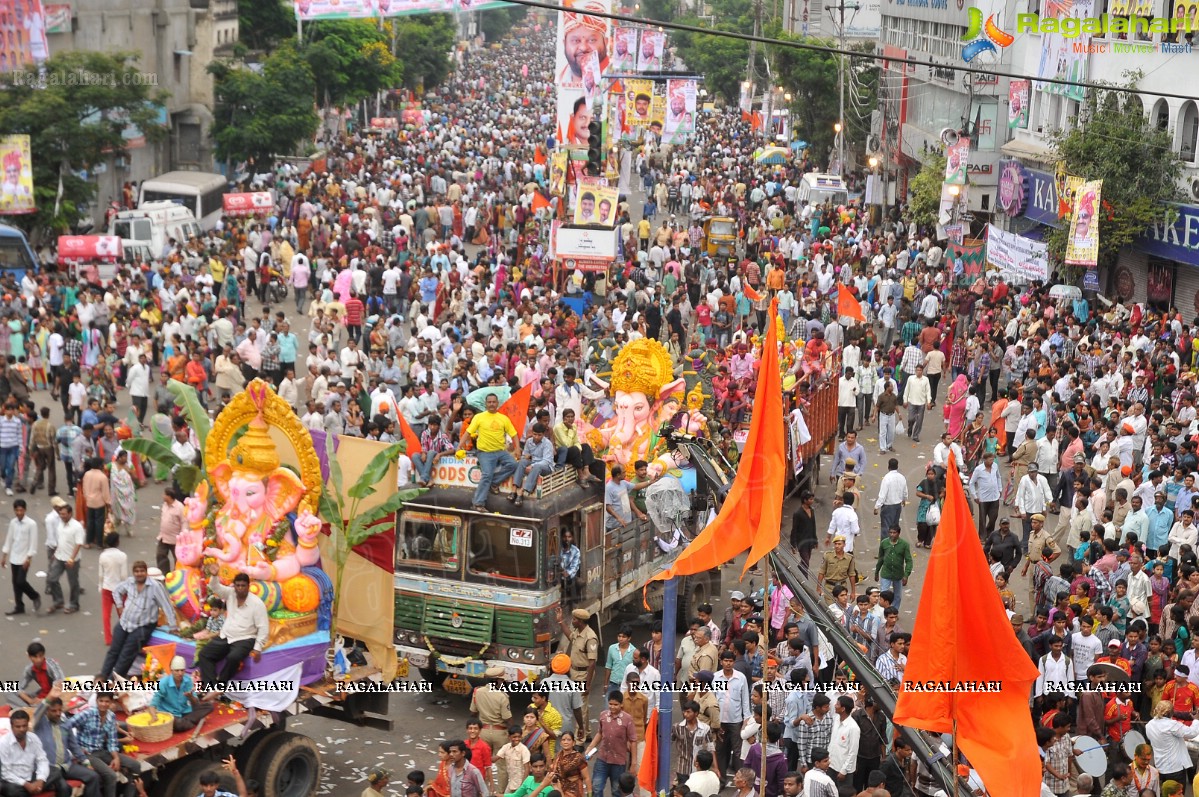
(351, 61)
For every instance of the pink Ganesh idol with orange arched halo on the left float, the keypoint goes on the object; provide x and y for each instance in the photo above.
(262, 522)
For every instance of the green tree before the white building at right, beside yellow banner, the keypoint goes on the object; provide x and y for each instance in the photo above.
(1116, 143)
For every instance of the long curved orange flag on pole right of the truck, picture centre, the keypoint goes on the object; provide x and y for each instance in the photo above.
(752, 512)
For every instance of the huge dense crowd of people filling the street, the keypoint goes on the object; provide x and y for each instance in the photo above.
(419, 264)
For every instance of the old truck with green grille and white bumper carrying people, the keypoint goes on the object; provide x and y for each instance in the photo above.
(477, 590)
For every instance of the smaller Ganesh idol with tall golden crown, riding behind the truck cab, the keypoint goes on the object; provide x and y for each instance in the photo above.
(646, 396)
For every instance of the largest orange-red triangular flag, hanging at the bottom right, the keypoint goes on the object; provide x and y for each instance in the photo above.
(963, 636)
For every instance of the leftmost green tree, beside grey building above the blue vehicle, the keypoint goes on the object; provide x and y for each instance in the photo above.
(75, 114)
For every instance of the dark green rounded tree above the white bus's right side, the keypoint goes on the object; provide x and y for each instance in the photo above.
(262, 114)
